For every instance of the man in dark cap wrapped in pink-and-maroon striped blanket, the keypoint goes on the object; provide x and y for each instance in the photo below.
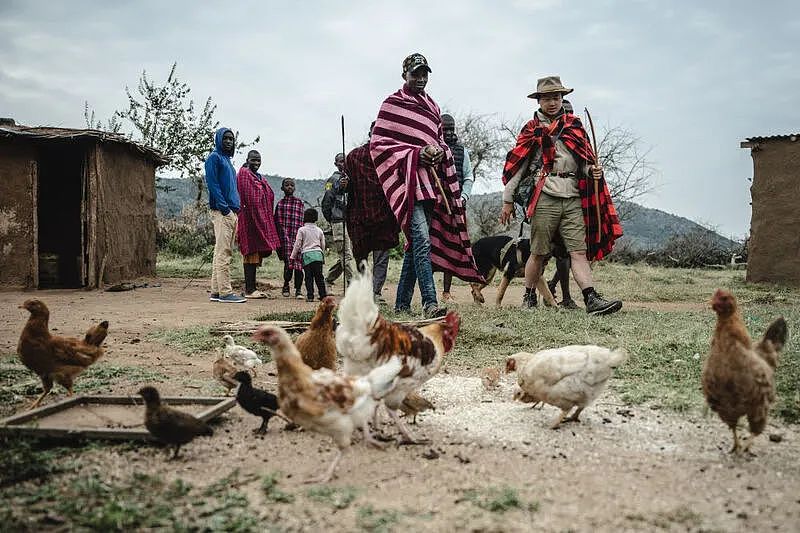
(418, 176)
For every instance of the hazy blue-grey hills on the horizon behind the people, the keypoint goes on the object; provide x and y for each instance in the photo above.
(645, 227)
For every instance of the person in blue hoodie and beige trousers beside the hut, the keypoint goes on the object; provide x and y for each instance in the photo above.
(223, 200)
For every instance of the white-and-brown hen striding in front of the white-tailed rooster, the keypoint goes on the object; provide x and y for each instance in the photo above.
(322, 401)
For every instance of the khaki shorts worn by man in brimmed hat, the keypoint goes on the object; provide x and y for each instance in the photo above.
(557, 214)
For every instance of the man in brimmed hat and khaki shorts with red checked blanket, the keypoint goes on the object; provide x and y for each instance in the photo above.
(570, 194)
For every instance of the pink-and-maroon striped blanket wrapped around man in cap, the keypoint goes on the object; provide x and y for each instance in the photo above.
(406, 123)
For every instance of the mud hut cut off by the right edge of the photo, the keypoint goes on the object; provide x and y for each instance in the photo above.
(774, 249)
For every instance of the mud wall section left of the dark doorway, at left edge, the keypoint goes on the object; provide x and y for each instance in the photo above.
(18, 265)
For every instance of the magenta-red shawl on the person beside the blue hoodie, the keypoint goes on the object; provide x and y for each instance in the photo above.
(256, 231)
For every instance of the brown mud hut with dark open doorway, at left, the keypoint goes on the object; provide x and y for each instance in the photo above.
(77, 207)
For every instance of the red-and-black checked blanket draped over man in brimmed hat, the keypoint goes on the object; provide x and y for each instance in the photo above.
(599, 238)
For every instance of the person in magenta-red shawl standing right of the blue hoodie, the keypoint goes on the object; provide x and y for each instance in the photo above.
(257, 234)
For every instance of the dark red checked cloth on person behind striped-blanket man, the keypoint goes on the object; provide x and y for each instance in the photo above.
(371, 224)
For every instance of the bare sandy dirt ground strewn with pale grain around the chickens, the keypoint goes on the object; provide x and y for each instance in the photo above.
(622, 468)
